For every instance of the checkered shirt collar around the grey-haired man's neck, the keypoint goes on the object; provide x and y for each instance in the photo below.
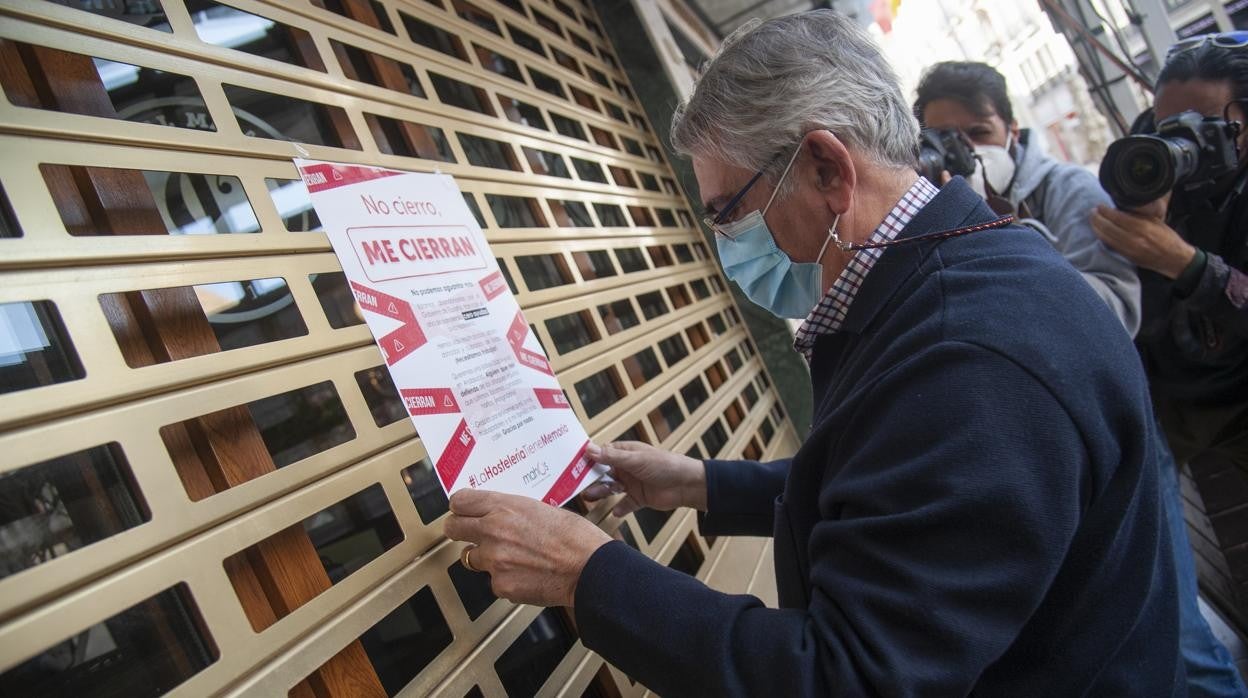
(829, 315)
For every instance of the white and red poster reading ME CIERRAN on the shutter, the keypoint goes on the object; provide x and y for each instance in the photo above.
(476, 383)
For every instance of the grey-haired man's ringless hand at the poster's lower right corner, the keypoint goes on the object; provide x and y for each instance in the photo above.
(650, 476)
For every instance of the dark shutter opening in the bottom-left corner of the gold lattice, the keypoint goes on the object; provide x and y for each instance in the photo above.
(145, 651)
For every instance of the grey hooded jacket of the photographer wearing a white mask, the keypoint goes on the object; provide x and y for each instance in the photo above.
(1061, 198)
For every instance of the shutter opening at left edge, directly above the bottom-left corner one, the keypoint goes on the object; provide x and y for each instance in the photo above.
(58, 506)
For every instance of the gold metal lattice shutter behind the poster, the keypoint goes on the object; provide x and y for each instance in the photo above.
(208, 485)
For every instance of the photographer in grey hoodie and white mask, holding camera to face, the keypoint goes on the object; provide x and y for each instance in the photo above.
(970, 130)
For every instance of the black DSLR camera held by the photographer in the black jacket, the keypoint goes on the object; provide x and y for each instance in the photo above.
(1189, 150)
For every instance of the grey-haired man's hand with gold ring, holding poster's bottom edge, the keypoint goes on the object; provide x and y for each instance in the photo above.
(532, 551)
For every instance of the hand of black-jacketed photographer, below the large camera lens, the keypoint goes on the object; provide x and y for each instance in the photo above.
(1144, 238)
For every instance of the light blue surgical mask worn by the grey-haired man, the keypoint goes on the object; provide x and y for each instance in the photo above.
(767, 275)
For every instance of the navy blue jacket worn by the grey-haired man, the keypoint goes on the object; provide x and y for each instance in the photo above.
(977, 509)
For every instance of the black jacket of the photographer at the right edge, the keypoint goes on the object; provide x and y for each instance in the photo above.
(1195, 335)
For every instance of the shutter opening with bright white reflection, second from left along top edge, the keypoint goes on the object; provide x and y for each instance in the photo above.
(232, 28)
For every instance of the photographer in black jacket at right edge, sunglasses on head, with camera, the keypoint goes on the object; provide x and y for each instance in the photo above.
(1184, 219)
